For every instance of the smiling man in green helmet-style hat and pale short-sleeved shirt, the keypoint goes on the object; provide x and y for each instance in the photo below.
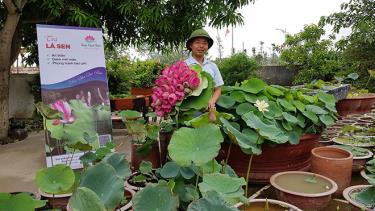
(198, 44)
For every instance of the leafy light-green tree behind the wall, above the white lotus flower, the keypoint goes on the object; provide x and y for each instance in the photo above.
(314, 56)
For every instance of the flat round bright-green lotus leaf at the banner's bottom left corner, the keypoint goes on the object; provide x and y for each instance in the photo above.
(57, 179)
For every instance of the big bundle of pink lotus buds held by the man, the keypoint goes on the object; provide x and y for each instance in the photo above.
(175, 83)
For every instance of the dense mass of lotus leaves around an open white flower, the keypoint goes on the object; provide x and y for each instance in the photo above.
(272, 113)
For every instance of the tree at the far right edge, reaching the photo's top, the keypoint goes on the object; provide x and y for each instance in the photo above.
(358, 49)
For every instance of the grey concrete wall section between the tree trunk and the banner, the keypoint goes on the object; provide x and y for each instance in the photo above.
(21, 101)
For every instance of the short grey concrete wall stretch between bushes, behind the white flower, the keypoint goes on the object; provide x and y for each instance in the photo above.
(279, 75)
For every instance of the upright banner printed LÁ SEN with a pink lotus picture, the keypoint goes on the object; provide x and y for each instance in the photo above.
(74, 82)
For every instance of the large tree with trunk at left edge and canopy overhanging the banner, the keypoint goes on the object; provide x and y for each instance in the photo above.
(162, 24)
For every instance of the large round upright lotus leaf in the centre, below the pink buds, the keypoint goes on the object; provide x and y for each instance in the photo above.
(198, 145)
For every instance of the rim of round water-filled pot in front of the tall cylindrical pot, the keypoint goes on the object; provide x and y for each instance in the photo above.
(311, 195)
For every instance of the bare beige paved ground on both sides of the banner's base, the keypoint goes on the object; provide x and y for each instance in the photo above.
(19, 161)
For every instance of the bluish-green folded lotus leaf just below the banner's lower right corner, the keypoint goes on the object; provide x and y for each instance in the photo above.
(119, 163)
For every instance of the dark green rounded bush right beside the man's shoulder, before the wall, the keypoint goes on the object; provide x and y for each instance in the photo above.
(237, 68)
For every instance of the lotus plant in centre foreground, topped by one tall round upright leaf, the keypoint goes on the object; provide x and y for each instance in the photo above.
(193, 180)
